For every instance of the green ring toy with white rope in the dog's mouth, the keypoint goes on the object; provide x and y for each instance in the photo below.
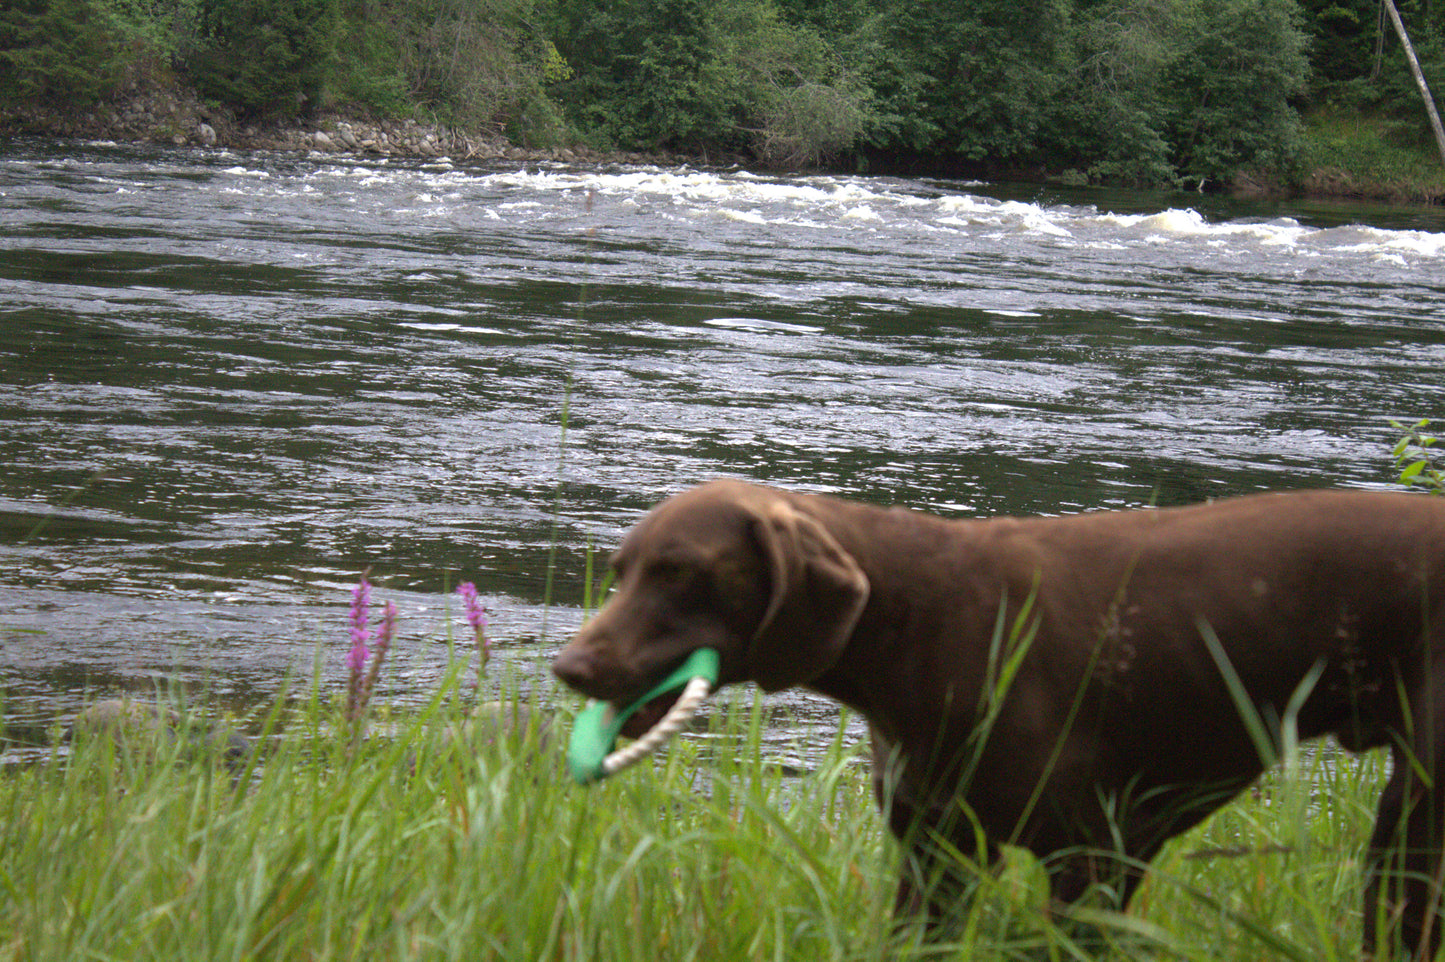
(590, 755)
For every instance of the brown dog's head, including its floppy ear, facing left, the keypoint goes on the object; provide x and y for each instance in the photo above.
(729, 565)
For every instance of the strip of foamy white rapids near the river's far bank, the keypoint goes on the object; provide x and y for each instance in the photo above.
(881, 210)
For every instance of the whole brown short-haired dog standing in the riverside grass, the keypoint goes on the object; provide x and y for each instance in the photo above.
(1084, 687)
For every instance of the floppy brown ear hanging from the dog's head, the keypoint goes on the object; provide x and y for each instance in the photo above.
(819, 594)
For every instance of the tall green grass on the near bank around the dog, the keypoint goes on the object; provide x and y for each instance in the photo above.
(421, 849)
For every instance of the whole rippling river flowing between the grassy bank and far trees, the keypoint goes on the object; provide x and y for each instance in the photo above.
(229, 383)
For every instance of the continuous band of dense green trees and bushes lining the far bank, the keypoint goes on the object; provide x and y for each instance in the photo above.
(1138, 92)
